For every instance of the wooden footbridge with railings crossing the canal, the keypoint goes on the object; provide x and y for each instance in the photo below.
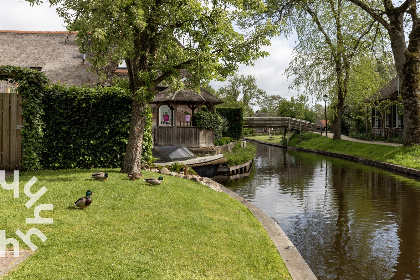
(288, 124)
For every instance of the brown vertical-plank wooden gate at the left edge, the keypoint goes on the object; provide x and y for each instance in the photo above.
(11, 122)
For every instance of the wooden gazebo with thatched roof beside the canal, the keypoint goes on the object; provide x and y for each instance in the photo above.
(172, 118)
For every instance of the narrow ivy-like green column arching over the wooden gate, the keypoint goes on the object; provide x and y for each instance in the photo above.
(31, 85)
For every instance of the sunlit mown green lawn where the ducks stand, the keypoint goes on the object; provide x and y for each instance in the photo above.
(178, 230)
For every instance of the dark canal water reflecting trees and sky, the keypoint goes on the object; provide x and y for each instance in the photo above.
(348, 220)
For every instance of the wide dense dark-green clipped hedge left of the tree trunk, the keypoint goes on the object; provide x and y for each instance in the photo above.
(85, 127)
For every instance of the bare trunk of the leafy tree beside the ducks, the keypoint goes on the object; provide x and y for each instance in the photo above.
(132, 159)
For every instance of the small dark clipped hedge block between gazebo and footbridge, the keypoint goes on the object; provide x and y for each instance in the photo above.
(233, 127)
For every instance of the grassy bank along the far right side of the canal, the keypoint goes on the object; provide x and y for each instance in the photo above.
(405, 156)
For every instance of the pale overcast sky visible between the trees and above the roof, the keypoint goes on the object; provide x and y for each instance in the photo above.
(269, 71)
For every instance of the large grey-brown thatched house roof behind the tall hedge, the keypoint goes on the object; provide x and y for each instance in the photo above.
(55, 53)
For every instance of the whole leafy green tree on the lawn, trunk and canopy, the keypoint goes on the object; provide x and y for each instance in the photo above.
(159, 39)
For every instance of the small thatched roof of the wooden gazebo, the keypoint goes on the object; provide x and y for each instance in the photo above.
(186, 96)
